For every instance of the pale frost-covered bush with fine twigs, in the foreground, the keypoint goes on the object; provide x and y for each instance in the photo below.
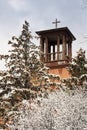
(60, 111)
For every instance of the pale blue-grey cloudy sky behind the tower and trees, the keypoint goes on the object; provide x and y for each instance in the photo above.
(40, 14)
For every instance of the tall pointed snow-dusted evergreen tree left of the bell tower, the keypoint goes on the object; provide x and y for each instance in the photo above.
(25, 76)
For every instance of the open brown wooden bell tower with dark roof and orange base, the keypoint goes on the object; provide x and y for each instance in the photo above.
(56, 45)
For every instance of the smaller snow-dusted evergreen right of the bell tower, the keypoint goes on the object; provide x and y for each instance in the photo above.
(78, 70)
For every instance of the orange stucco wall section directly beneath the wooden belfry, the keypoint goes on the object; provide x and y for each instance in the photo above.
(62, 72)
